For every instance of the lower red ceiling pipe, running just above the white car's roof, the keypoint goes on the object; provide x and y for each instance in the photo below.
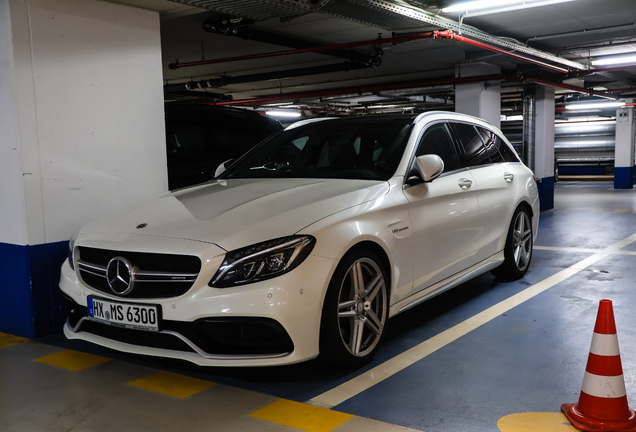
(370, 89)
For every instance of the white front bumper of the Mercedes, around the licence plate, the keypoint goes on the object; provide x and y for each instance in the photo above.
(292, 302)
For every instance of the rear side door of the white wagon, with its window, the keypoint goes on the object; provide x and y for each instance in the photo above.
(479, 153)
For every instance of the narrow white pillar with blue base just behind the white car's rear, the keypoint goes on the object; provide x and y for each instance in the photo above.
(544, 146)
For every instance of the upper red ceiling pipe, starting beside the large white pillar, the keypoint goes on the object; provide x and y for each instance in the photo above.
(377, 41)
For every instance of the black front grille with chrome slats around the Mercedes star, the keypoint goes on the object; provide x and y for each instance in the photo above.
(156, 275)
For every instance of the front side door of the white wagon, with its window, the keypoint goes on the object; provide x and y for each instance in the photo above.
(443, 214)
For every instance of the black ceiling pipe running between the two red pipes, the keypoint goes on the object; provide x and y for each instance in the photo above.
(266, 76)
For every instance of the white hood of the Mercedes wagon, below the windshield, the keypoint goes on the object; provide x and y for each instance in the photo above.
(240, 212)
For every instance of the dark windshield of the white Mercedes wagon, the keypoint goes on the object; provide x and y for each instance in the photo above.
(345, 149)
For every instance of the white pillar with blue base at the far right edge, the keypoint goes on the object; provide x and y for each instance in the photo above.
(624, 150)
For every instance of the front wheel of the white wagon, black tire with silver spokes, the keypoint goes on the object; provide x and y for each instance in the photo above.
(355, 311)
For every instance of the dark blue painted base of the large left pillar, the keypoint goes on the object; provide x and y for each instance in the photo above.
(30, 304)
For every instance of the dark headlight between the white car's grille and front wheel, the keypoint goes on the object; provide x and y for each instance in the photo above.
(262, 261)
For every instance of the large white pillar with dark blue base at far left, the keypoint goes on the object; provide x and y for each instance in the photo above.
(81, 135)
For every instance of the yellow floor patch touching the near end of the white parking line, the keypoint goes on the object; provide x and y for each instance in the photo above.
(301, 416)
